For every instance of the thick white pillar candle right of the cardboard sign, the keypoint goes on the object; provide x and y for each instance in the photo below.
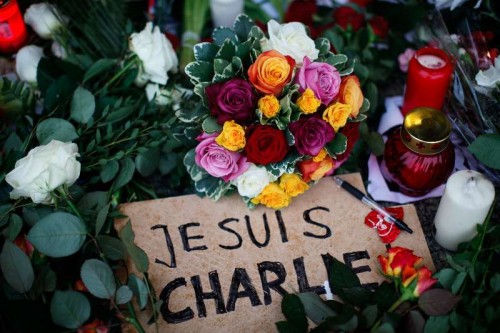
(467, 198)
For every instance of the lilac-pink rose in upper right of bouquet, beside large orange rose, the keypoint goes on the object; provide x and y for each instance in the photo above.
(323, 79)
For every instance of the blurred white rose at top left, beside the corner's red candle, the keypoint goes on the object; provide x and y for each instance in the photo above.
(42, 19)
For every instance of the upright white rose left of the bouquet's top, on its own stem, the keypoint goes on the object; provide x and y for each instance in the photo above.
(156, 53)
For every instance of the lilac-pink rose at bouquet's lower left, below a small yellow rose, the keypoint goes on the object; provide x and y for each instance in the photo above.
(217, 160)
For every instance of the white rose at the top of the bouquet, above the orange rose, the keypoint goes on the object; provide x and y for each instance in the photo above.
(290, 39)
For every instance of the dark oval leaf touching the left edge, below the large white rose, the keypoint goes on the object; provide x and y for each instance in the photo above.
(16, 268)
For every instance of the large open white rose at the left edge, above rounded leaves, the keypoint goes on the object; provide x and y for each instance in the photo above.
(44, 169)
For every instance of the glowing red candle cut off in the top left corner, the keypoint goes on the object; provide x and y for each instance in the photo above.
(13, 33)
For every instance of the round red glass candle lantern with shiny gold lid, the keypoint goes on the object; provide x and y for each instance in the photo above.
(418, 156)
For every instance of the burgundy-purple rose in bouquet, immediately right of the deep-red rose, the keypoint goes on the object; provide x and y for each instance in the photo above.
(311, 134)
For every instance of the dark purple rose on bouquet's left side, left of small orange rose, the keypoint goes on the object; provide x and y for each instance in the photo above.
(232, 100)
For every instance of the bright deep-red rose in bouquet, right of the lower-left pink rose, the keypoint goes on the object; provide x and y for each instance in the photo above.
(265, 144)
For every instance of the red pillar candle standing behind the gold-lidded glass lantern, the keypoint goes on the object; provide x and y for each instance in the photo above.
(429, 74)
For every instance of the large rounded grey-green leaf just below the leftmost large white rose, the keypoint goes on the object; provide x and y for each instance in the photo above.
(58, 234)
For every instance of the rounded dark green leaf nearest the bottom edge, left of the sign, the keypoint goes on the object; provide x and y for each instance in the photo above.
(69, 309)
